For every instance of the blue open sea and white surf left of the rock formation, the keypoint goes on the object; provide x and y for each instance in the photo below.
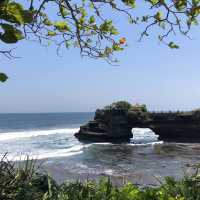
(40, 135)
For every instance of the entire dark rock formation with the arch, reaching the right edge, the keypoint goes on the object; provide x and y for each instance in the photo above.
(115, 122)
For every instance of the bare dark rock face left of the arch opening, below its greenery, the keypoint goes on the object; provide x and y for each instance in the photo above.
(106, 126)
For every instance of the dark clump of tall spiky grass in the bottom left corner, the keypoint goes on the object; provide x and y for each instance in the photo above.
(21, 183)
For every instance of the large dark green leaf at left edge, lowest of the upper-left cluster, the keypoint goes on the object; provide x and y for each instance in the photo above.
(11, 34)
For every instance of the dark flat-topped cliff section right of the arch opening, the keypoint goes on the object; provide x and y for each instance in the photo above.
(183, 126)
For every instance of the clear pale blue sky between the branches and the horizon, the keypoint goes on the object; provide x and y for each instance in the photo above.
(148, 73)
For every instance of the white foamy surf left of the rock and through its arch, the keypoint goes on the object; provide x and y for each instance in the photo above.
(71, 147)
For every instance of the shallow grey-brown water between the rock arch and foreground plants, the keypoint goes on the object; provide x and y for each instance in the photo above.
(173, 160)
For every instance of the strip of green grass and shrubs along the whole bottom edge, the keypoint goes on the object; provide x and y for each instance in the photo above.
(25, 183)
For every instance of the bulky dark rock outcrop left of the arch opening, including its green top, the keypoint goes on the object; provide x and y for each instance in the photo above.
(113, 123)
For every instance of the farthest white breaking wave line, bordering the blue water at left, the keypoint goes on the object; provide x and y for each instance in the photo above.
(35, 133)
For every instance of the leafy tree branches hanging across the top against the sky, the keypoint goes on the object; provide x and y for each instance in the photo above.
(83, 23)
